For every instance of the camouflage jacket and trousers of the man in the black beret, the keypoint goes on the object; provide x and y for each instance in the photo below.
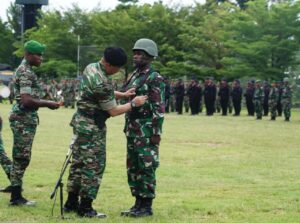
(89, 148)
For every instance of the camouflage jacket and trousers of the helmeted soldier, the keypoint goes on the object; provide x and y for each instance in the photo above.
(140, 124)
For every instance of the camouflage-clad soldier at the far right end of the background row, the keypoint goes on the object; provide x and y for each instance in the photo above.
(286, 99)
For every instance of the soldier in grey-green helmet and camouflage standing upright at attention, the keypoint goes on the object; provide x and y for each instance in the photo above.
(143, 128)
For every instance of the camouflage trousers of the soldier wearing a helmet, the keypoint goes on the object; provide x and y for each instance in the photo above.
(142, 162)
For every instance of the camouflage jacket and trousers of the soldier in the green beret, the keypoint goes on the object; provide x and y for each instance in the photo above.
(23, 121)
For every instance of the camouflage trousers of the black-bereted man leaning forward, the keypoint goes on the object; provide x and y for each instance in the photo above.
(88, 164)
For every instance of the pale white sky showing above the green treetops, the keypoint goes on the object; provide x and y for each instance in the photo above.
(90, 4)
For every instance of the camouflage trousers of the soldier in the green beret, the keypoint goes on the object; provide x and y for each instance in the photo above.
(23, 139)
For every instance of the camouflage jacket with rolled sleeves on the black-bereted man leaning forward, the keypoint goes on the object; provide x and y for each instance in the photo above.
(96, 93)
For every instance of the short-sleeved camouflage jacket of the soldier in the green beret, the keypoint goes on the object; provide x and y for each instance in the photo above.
(26, 82)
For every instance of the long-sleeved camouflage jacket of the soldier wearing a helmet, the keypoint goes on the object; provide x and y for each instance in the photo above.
(146, 120)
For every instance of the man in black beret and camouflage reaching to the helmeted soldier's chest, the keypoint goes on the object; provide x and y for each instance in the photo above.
(97, 101)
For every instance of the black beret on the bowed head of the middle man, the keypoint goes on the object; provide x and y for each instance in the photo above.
(115, 56)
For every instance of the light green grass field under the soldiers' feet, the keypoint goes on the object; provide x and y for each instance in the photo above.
(213, 169)
